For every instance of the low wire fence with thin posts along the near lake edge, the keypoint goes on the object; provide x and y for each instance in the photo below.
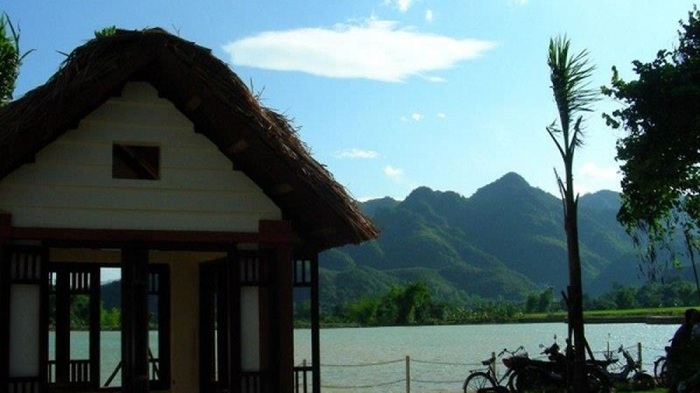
(409, 374)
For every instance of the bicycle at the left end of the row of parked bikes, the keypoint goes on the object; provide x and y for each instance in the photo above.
(483, 381)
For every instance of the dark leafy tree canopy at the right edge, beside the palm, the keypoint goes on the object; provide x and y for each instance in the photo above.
(660, 153)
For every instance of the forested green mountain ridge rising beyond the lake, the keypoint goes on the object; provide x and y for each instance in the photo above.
(503, 242)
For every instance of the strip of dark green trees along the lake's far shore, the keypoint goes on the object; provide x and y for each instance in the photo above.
(414, 304)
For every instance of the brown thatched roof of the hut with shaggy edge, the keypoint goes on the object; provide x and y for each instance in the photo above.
(258, 141)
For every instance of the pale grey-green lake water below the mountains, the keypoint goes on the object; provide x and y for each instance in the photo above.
(373, 360)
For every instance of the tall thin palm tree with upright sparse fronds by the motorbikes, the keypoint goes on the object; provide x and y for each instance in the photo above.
(569, 75)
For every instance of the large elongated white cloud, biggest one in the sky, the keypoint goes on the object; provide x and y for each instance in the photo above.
(376, 49)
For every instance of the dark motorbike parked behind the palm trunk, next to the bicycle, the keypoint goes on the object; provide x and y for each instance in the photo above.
(551, 374)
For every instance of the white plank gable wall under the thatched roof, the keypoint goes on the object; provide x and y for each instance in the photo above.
(71, 186)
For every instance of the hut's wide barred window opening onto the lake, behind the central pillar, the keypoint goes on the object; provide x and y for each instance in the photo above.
(84, 351)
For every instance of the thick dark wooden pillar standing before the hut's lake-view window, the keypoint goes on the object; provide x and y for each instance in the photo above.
(134, 287)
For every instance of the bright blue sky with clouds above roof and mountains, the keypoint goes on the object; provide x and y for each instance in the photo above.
(392, 95)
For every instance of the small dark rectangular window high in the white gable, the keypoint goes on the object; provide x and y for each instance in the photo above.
(135, 162)
